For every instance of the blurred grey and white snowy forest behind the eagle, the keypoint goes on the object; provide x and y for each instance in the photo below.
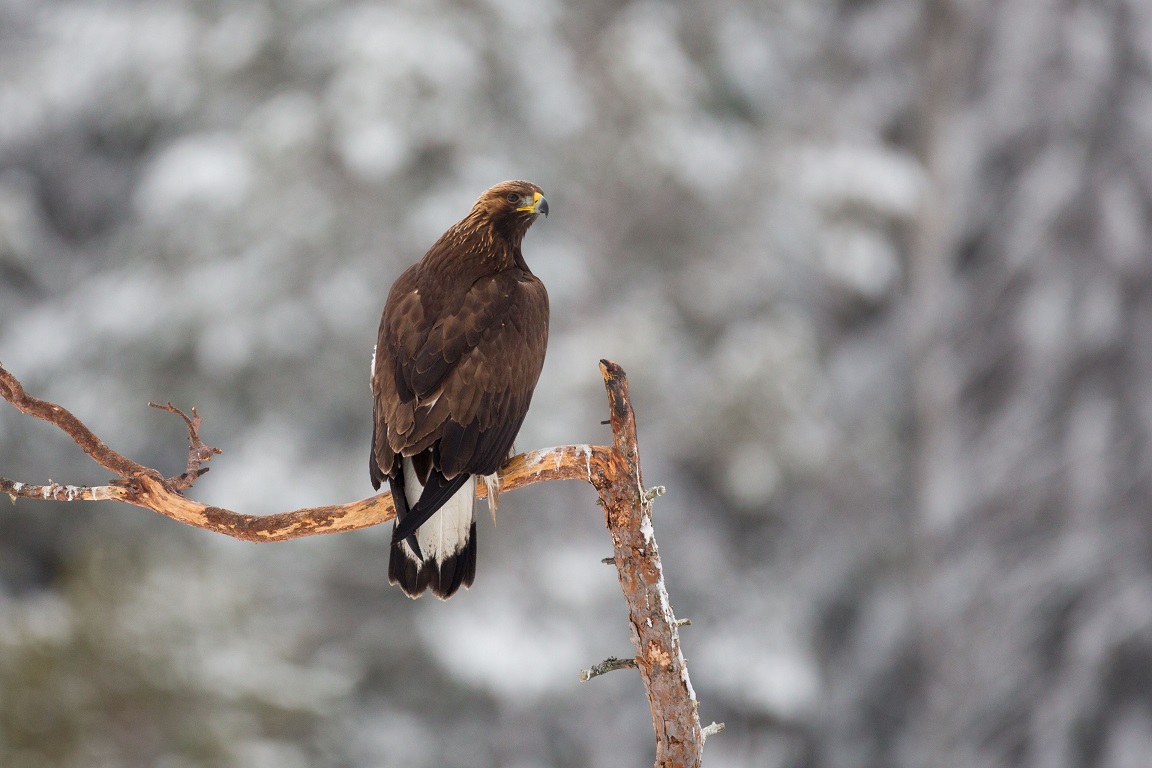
(880, 272)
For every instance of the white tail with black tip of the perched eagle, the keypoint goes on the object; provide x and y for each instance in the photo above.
(436, 551)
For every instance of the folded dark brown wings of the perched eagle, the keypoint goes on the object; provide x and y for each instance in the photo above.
(465, 381)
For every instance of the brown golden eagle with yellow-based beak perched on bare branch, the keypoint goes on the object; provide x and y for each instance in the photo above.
(459, 354)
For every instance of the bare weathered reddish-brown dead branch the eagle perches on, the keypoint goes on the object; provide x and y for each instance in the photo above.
(613, 472)
